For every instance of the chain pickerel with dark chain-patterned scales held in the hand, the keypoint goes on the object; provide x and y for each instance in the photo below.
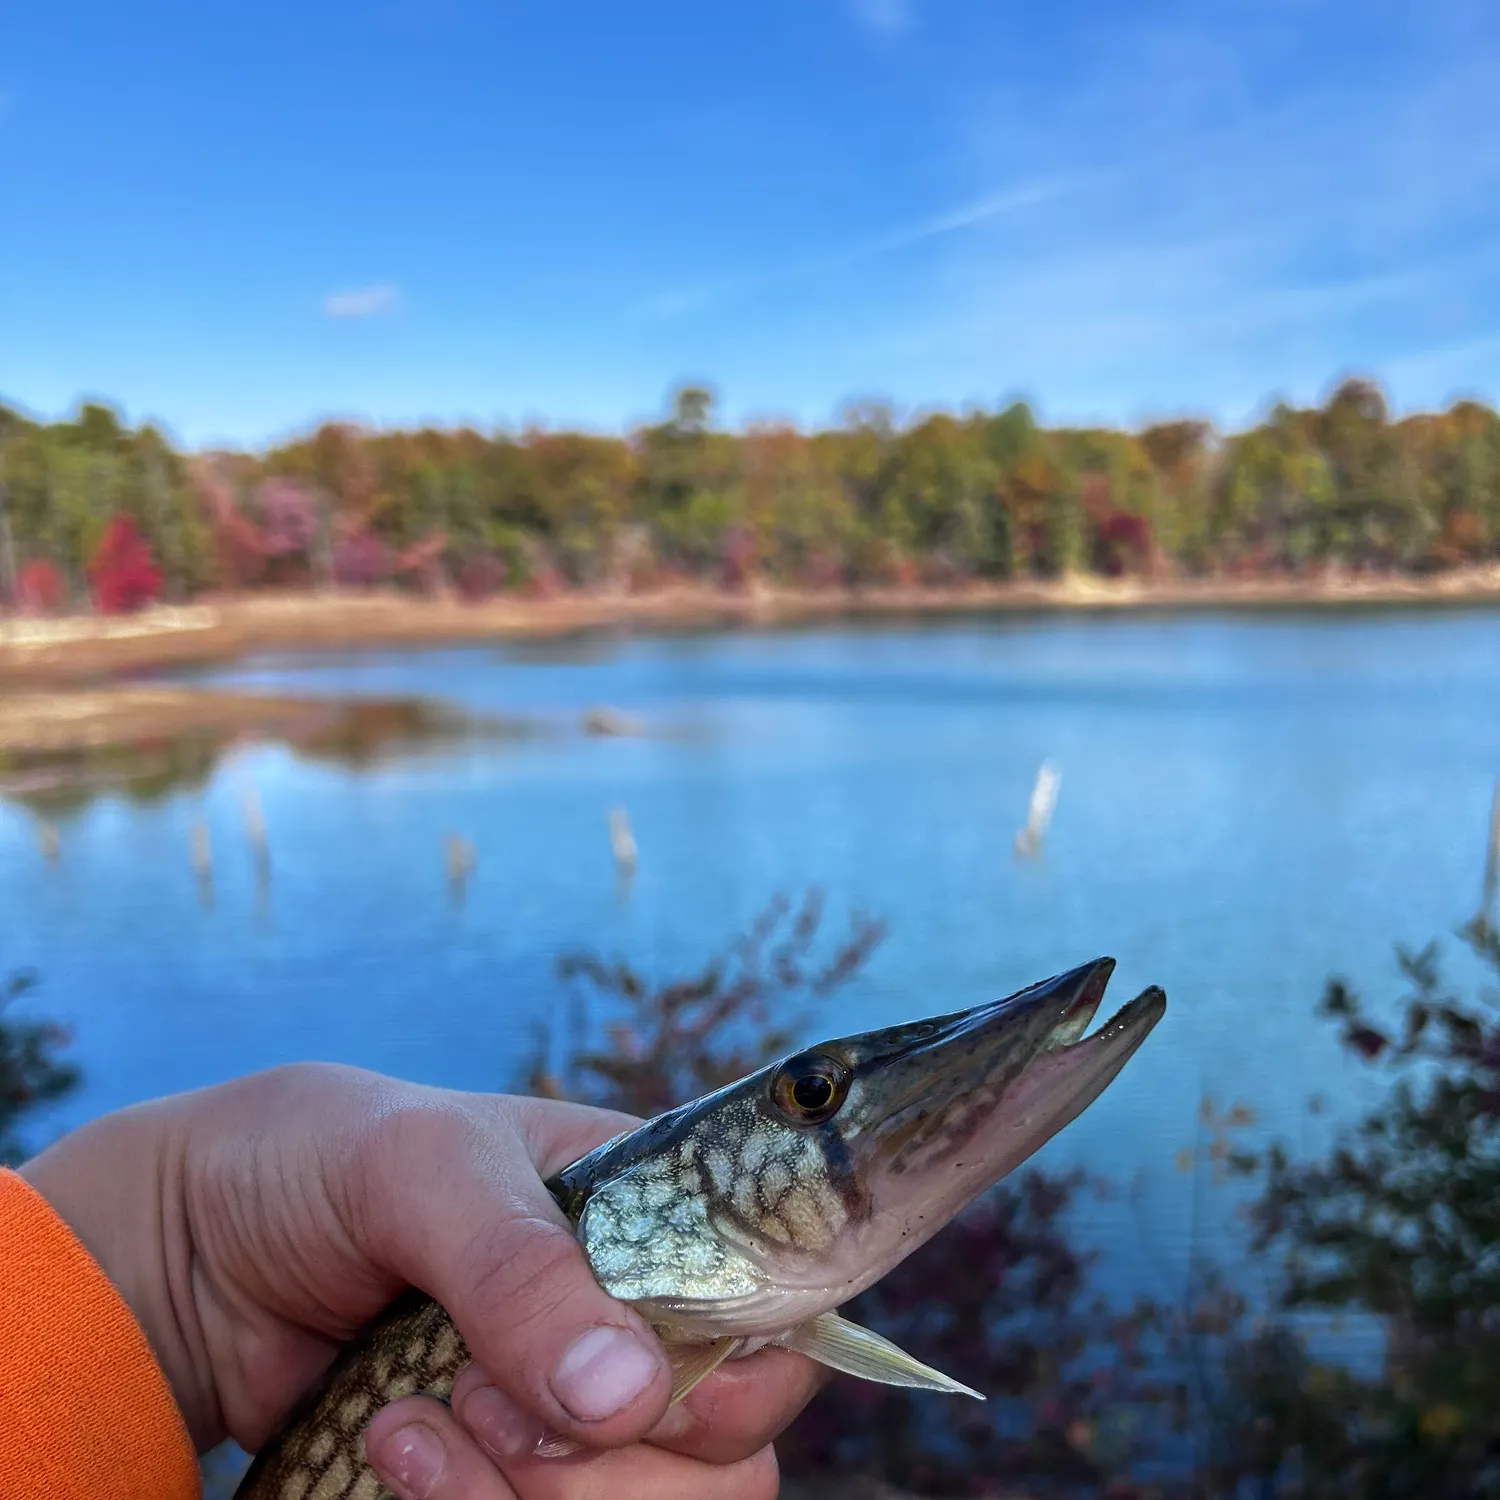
(749, 1216)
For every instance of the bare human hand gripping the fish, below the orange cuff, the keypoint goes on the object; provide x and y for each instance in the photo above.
(256, 1226)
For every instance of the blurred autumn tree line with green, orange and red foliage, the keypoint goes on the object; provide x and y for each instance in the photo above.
(94, 511)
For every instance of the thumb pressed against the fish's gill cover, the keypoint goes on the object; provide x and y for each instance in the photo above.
(458, 1208)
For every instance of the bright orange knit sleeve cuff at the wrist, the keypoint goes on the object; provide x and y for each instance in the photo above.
(86, 1412)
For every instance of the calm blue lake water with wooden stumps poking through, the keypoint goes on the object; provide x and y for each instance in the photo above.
(1247, 806)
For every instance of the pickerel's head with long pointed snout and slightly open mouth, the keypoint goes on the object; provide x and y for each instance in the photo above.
(785, 1195)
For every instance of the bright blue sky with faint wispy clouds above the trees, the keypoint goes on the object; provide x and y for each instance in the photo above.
(244, 220)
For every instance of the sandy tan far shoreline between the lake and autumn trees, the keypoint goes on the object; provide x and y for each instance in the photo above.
(97, 649)
